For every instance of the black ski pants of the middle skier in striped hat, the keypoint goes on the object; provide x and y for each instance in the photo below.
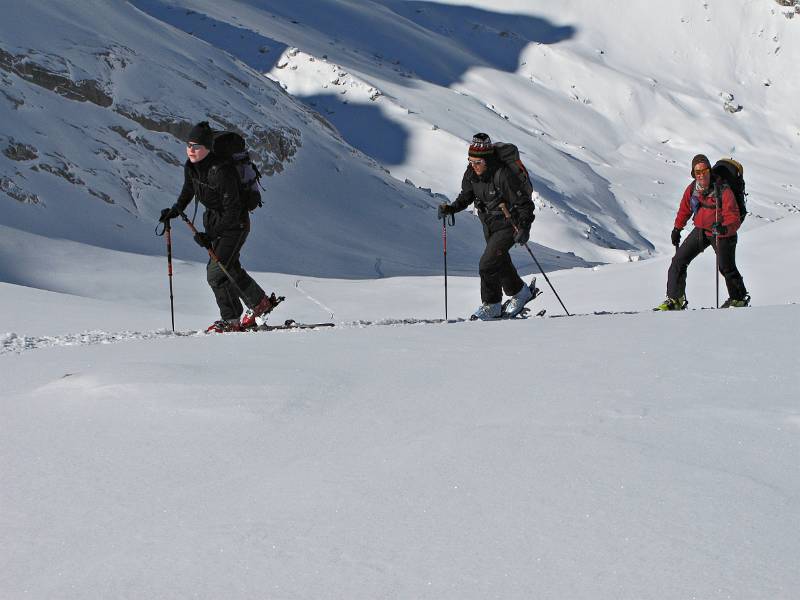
(497, 272)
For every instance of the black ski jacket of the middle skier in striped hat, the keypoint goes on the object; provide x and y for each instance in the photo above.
(496, 186)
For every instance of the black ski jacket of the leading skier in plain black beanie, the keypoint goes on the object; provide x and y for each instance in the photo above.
(216, 186)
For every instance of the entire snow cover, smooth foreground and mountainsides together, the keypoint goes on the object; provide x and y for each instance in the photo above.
(639, 455)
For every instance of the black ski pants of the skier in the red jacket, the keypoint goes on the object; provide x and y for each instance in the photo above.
(694, 244)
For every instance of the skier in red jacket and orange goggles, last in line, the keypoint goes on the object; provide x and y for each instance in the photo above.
(714, 225)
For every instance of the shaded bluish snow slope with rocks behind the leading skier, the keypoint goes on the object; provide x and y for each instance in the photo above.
(96, 157)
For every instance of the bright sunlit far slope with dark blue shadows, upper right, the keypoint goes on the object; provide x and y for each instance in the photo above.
(607, 101)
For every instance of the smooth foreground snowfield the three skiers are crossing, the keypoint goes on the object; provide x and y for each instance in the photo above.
(630, 456)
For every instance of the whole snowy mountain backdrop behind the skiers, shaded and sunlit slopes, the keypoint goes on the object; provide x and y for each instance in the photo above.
(607, 103)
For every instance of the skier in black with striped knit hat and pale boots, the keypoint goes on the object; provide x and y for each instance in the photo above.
(487, 183)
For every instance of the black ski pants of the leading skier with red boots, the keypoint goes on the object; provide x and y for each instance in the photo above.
(227, 248)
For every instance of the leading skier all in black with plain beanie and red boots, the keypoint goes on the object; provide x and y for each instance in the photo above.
(227, 223)
